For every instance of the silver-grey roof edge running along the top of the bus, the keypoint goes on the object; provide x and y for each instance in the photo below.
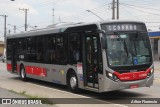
(59, 28)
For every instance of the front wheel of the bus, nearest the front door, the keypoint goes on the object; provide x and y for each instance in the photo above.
(72, 82)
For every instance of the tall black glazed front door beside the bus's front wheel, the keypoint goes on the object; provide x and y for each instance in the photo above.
(90, 61)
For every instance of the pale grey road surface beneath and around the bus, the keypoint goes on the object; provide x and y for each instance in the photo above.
(50, 90)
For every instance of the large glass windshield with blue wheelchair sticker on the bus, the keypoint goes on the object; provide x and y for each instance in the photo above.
(127, 49)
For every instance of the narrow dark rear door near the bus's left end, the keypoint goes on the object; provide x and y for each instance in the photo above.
(13, 57)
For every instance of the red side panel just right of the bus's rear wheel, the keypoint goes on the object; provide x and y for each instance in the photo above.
(36, 71)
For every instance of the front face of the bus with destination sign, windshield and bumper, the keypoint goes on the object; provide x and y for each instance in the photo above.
(129, 61)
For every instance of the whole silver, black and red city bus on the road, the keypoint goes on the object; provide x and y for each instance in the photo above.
(100, 56)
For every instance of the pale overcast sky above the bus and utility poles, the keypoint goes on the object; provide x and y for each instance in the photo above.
(41, 12)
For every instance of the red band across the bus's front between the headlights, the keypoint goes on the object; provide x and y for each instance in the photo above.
(132, 75)
